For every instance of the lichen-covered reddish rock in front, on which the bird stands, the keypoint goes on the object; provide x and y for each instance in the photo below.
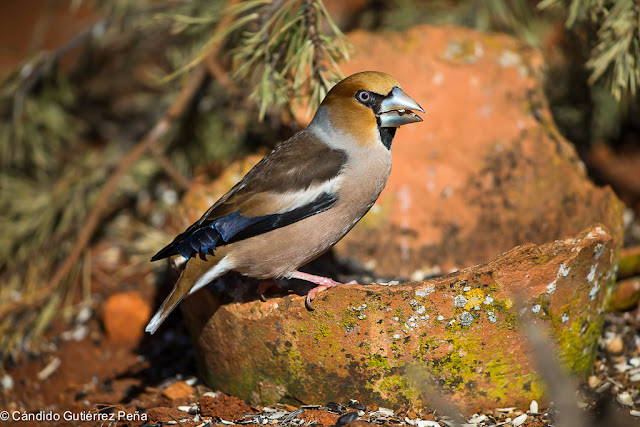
(459, 335)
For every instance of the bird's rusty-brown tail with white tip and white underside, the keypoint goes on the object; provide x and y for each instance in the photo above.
(196, 275)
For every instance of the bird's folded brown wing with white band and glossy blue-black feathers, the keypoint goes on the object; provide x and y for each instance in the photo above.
(300, 178)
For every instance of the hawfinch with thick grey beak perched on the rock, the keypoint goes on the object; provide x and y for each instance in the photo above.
(301, 198)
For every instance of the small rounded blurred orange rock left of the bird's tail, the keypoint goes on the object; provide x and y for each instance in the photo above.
(125, 316)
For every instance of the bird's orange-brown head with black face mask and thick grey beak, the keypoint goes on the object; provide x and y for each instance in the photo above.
(369, 102)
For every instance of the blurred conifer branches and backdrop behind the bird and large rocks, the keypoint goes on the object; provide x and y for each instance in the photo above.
(111, 110)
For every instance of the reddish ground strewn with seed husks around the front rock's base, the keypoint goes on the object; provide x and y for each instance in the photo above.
(85, 372)
